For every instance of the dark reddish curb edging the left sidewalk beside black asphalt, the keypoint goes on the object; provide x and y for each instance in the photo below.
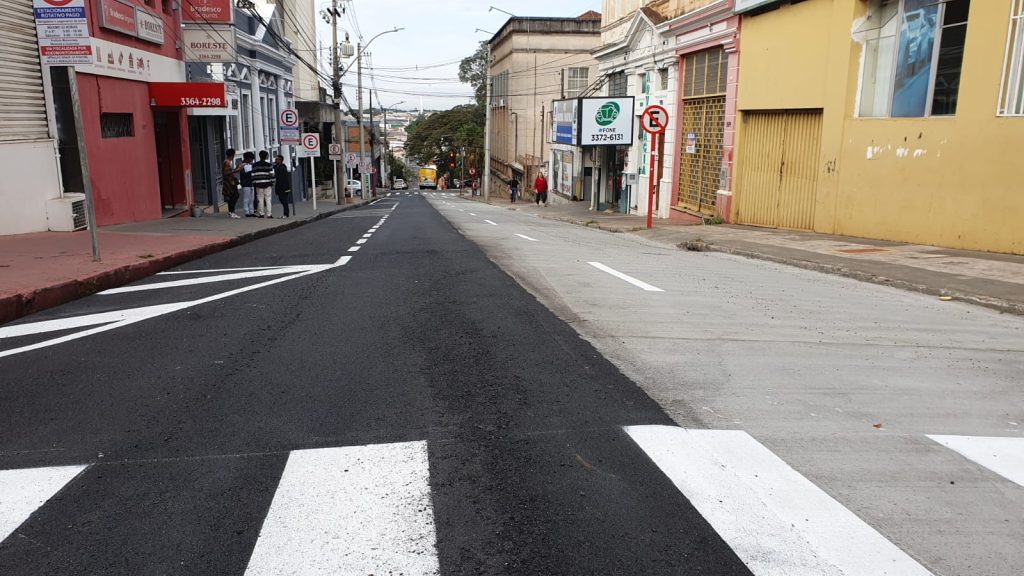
(24, 304)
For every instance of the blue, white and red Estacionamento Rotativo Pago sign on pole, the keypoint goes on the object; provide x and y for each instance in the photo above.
(63, 30)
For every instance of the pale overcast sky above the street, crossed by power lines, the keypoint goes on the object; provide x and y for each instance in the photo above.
(439, 32)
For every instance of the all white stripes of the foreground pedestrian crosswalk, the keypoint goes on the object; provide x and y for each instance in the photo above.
(369, 510)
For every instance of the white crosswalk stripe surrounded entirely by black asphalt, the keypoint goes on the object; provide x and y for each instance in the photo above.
(363, 510)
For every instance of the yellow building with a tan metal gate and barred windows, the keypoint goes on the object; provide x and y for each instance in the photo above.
(901, 120)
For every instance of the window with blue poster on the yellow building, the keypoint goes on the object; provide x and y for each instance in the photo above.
(914, 53)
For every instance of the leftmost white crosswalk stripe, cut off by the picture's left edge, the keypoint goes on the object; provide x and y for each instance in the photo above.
(24, 491)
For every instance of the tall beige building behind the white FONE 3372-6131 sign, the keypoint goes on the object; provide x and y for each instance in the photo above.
(536, 61)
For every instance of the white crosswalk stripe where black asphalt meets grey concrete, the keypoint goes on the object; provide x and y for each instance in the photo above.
(776, 520)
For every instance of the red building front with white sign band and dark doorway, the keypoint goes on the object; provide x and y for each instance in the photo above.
(139, 154)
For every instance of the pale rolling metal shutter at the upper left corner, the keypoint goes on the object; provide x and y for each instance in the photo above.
(23, 108)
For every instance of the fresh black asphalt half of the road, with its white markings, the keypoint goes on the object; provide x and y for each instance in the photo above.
(402, 408)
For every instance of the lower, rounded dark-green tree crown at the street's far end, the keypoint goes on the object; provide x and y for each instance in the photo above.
(458, 130)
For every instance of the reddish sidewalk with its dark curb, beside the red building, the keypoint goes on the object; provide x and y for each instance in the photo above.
(45, 270)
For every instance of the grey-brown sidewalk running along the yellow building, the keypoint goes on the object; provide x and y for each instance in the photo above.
(991, 280)
